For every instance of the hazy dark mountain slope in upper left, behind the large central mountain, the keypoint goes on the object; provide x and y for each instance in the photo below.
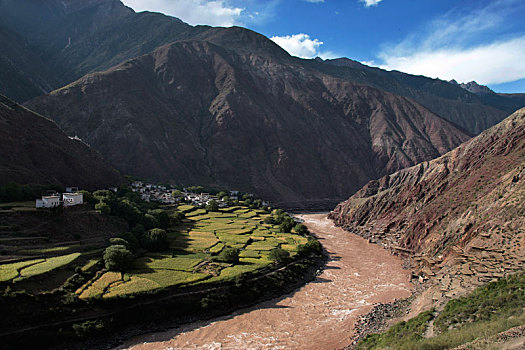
(74, 37)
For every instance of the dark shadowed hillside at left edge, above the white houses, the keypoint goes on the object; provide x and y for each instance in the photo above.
(34, 150)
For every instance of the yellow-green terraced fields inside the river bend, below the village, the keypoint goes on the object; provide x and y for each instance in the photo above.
(193, 248)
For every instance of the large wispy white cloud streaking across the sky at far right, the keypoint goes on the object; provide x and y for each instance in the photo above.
(462, 46)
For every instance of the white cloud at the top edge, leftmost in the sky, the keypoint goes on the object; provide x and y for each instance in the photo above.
(210, 12)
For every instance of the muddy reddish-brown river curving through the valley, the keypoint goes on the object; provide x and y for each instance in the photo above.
(320, 315)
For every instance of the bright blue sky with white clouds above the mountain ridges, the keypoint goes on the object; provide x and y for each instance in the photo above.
(466, 40)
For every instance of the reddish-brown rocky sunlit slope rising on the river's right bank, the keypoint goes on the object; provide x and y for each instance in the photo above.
(462, 216)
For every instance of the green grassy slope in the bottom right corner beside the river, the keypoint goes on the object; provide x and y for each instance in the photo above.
(489, 310)
